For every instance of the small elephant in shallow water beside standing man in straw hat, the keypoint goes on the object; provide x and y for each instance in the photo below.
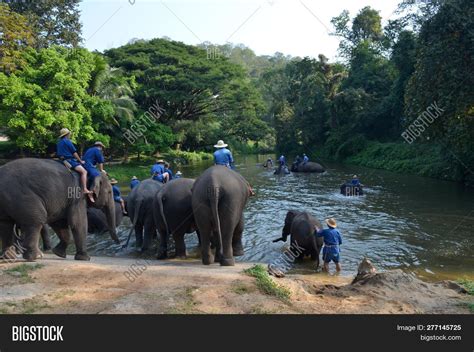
(300, 225)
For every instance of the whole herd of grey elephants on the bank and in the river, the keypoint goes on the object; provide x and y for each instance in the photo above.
(39, 192)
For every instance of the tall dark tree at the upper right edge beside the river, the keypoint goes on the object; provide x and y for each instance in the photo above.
(443, 74)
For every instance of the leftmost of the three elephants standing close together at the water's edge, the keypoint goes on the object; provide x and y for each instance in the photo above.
(140, 211)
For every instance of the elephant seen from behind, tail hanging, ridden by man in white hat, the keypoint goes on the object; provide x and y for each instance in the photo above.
(219, 196)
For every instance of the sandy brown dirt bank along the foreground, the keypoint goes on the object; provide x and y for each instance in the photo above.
(54, 285)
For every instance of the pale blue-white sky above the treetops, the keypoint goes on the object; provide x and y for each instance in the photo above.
(293, 27)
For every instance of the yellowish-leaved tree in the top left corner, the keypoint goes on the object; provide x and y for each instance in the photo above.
(15, 36)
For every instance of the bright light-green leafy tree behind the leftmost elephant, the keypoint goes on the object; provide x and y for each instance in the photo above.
(48, 94)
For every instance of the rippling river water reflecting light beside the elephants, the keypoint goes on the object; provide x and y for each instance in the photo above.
(417, 224)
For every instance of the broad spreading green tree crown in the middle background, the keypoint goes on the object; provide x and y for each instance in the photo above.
(203, 99)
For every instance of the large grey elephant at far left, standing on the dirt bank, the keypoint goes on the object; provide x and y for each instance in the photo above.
(36, 192)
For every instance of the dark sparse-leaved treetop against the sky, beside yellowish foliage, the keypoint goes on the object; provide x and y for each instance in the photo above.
(54, 22)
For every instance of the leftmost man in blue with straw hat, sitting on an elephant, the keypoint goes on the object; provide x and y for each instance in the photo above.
(66, 151)
